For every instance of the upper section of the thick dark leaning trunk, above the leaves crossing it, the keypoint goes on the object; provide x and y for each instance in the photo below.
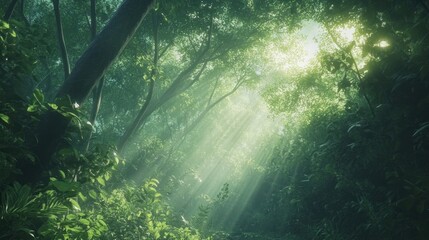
(104, 49)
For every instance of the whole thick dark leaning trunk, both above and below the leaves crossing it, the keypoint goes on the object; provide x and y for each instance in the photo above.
(91, 66)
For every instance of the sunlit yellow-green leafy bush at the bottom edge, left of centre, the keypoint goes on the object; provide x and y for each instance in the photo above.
(138, 212)
